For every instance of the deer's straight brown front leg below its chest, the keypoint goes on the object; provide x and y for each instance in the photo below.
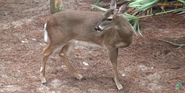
(113, 54)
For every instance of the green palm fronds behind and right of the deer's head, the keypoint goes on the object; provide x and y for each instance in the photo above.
(141, 7)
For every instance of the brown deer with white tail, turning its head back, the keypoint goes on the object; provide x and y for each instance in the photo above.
(69, 28)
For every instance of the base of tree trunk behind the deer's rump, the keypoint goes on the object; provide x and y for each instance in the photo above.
(55, 6)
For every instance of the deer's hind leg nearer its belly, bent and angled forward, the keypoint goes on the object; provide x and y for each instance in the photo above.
(64, 56)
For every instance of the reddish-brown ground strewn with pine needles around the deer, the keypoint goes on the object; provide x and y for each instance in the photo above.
(146, 66)
